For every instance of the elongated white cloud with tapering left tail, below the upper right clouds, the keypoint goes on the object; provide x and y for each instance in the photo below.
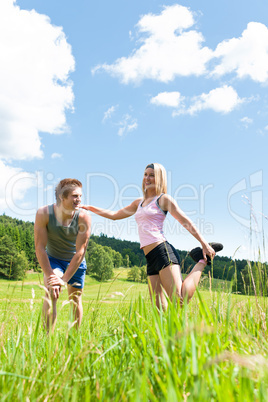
(221, 100)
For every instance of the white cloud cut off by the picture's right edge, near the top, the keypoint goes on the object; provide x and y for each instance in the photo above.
(247, 55)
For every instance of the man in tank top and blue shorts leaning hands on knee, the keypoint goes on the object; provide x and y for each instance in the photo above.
(62, 232)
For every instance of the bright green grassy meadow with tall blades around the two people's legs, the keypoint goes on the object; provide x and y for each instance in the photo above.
(214, 349)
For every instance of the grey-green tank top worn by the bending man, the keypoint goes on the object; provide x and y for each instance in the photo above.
(61, 240)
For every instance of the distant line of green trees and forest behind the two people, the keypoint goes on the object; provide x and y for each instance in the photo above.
(17, 255)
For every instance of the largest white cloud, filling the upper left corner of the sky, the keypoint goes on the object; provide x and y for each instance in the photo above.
(36, 61)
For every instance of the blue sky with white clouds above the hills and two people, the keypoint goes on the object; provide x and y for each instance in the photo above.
(97, 90)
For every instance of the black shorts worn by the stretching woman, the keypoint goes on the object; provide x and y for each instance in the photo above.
(161, 257)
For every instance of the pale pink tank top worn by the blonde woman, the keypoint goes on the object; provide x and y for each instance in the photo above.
(150, 220)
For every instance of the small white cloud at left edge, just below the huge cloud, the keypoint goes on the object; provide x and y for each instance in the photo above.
(14, 184)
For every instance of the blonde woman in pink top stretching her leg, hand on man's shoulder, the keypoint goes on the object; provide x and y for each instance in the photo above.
(163, 262)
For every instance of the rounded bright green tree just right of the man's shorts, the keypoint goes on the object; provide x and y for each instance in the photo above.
(101, 264)
